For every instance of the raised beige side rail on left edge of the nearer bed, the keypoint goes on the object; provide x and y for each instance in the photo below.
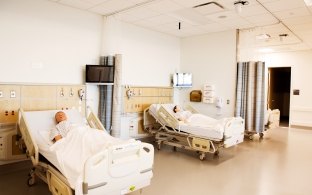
(32, 148)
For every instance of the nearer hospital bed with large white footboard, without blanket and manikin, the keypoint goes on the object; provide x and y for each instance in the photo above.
(117, 169)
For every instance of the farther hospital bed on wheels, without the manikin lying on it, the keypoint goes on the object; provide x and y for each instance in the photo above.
(201, 138)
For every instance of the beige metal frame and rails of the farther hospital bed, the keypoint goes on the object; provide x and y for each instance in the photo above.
(169, 134)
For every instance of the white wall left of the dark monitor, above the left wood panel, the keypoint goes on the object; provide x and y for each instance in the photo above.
(45, 42)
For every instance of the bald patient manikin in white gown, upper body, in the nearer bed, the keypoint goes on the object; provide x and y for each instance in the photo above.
(62, 127)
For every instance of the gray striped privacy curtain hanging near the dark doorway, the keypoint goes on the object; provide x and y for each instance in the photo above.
(250, 104)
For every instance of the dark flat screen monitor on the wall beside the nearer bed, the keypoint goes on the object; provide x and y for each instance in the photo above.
(99, 74)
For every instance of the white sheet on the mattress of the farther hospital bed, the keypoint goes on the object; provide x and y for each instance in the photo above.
(215, 132)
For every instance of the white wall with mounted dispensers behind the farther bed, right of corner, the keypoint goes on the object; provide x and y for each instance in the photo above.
(212, 60)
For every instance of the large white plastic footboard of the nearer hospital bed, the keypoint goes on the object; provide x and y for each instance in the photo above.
(117, 162)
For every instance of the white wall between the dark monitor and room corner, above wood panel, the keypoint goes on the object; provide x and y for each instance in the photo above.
(148, 57)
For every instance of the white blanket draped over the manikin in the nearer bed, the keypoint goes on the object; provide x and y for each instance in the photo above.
(80, 143)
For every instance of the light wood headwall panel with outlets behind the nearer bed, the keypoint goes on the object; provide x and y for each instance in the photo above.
(31, 97)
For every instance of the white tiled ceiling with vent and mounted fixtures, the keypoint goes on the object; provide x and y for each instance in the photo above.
(273, 17)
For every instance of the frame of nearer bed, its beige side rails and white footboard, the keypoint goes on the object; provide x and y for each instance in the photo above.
(99, 174)
